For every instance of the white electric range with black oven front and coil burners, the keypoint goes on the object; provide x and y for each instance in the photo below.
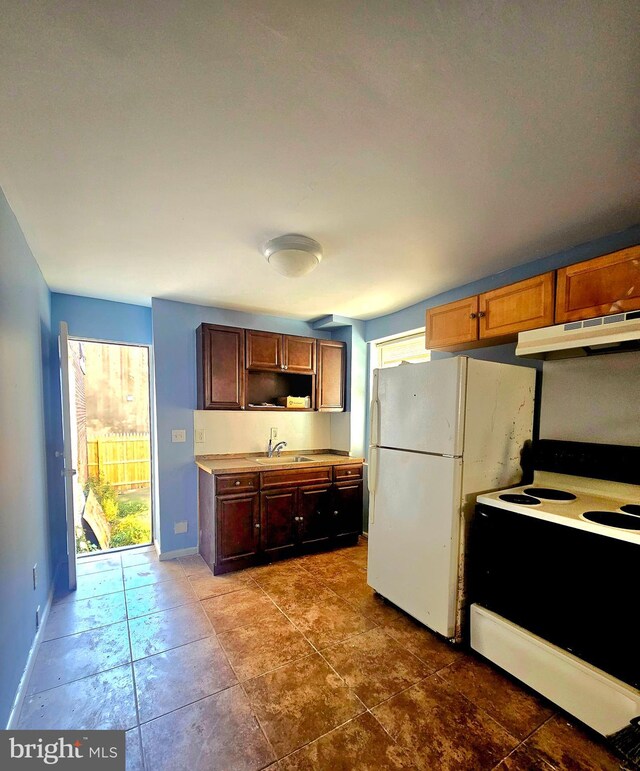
(554, 580)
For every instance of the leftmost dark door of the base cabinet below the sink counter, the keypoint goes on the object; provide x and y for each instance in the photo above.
(237, 527)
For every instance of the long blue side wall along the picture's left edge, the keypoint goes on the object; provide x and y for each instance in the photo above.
(24, 442)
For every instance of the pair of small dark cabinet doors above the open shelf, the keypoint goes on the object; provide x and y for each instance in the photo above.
(273, 352)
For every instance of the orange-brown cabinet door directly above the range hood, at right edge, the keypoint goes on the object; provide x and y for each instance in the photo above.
(607, 284)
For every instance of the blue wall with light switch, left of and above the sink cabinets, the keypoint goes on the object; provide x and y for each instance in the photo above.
(174, 344)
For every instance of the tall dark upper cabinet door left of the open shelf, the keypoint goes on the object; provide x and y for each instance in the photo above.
(220, 365)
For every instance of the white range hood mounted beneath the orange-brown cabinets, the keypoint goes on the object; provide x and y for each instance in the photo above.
(605, 334)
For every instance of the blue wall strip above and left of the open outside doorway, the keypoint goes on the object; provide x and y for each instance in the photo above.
(89, 319)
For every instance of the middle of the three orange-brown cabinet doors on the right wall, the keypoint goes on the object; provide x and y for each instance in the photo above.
(511, 309)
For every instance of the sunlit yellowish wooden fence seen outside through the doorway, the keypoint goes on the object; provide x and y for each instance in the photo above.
(123, 460)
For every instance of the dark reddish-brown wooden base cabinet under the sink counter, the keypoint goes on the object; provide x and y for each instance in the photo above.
(249, 519)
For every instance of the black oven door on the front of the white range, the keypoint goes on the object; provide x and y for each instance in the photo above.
(578, 590)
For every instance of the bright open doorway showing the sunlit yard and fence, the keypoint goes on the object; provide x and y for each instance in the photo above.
(110, 419)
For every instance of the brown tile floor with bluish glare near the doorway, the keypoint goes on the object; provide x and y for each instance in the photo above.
(298, 665)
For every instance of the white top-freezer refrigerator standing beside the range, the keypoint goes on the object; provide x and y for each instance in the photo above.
(441, 432)
